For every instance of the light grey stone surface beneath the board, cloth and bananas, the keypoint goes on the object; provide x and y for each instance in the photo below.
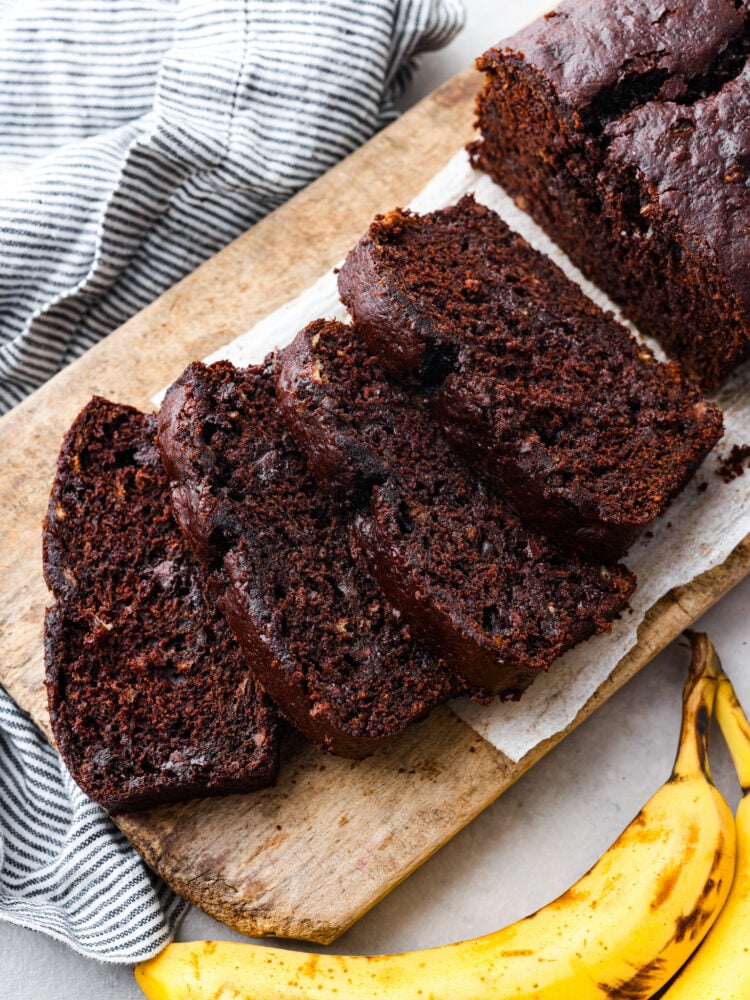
(544, 832)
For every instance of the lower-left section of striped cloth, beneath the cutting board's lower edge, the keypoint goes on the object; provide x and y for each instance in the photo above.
(65, 868)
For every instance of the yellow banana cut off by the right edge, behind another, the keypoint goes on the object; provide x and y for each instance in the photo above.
(720, 968)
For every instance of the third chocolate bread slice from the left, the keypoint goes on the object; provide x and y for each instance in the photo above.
(498, 601)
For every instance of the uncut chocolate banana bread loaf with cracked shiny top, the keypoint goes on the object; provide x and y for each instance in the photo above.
(623, 129)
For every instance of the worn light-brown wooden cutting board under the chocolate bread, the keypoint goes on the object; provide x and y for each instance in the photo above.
(309, 856)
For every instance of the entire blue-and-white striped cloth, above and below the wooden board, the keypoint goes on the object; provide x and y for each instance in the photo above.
(138, 137)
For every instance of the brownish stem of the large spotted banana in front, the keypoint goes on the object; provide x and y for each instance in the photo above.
(698, 699)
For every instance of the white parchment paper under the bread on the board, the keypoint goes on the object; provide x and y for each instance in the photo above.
(697, 533)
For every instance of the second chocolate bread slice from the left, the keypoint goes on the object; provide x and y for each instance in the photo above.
(336, 657)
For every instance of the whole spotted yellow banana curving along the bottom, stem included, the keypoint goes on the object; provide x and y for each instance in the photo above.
(621, 931)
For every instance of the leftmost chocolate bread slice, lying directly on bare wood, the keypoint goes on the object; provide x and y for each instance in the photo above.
(151, 698)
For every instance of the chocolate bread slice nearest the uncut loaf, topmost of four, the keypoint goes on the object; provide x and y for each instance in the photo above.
(541, 391)
